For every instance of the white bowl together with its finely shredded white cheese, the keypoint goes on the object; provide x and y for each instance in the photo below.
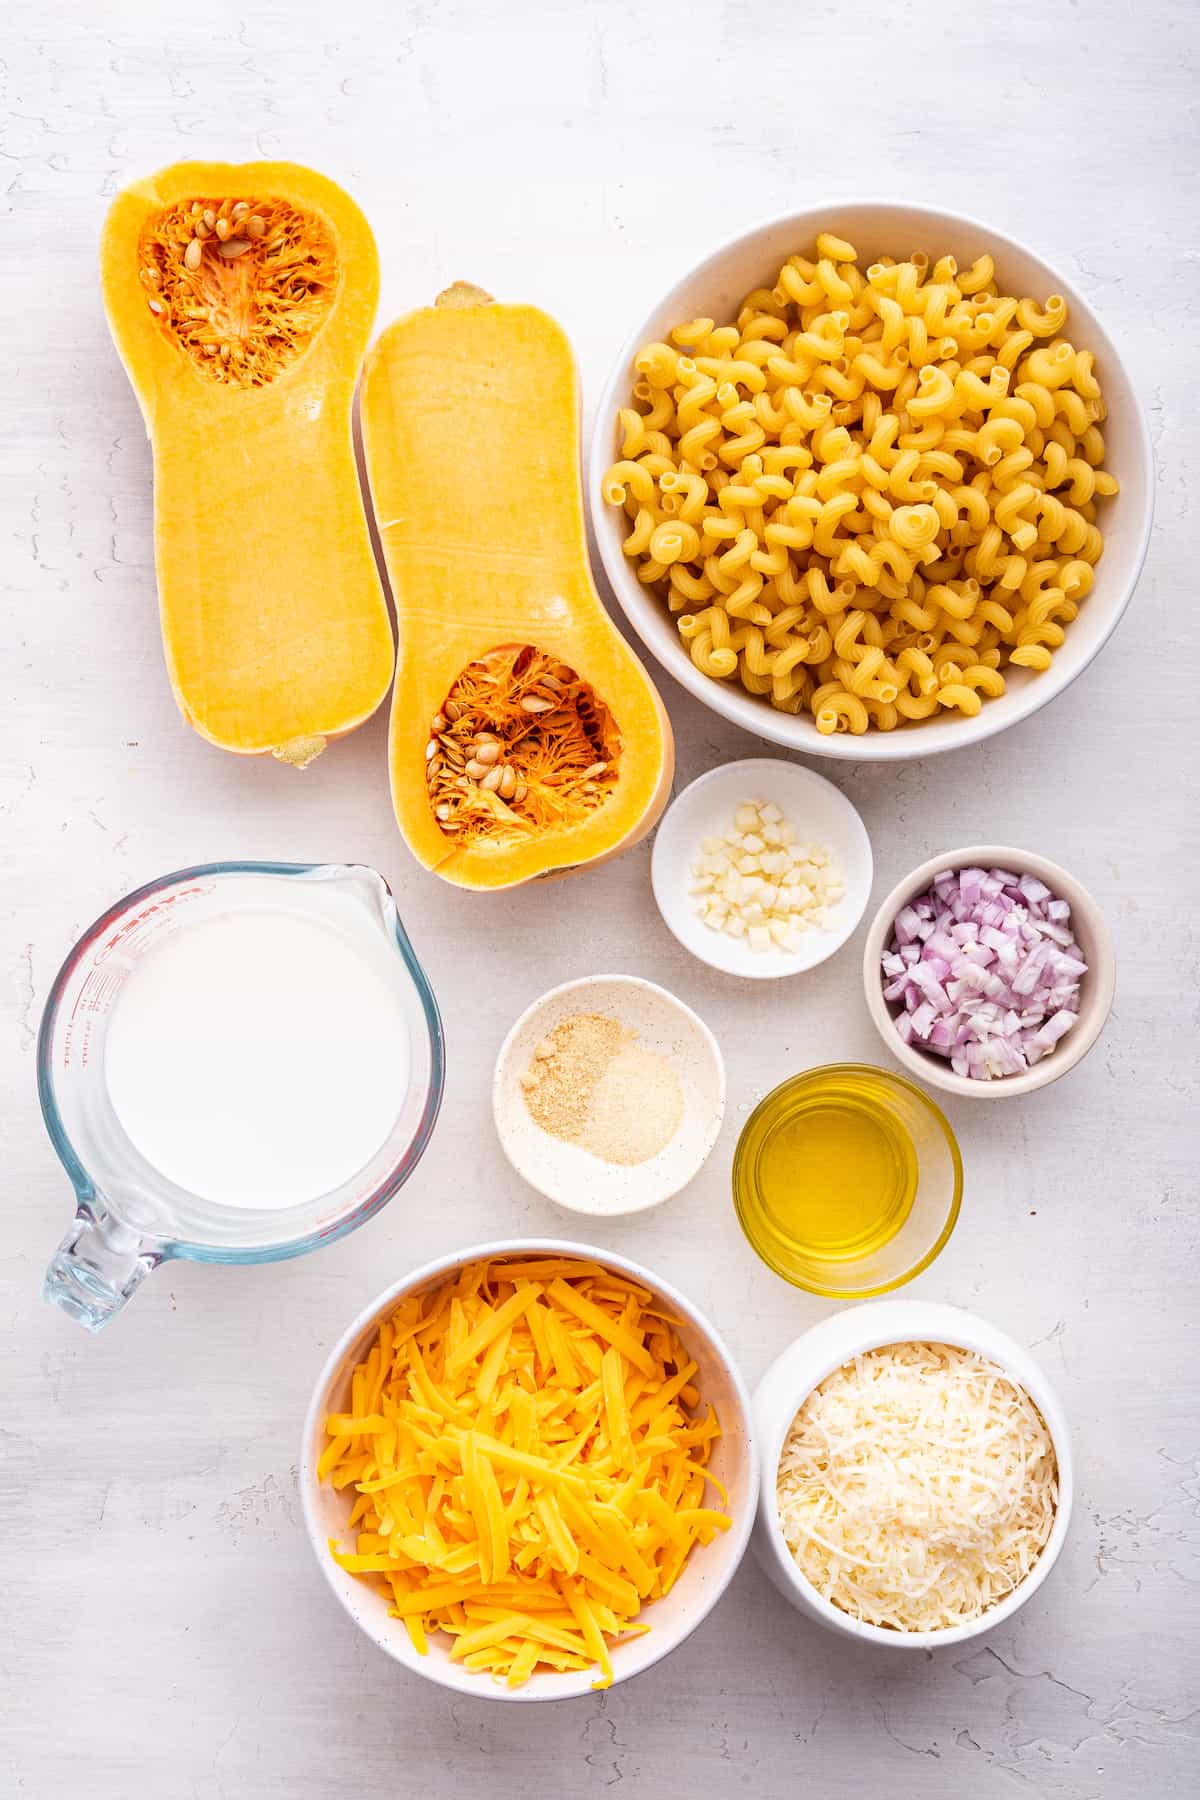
(917, 1475)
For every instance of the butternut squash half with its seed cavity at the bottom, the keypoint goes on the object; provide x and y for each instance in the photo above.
(526, 737)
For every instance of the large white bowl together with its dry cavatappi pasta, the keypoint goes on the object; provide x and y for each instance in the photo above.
(872, 481)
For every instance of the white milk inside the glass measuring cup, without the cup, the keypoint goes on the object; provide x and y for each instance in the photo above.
(258, 1057)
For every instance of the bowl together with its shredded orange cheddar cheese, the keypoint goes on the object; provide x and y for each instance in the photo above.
(528, 1470)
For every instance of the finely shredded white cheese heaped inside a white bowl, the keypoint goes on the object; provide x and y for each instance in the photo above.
(918, 1486)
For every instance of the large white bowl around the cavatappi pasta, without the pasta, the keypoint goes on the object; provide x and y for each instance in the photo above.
(881, 228)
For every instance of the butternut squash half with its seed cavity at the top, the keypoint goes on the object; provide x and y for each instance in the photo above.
(240, 298)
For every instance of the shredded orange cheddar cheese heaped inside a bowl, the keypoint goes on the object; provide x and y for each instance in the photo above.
(528, 1461)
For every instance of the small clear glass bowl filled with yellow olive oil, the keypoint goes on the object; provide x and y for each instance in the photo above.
(848, 1180)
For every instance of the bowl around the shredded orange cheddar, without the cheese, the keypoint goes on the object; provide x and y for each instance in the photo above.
(708, 1570)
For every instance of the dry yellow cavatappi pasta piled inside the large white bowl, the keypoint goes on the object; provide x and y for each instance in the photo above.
(872, 494)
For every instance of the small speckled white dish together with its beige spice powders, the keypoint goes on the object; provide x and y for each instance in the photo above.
(609, 1095)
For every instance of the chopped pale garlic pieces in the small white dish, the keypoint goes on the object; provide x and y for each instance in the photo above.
(760, 883)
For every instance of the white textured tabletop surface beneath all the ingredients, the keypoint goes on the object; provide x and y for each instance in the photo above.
(165, 1630)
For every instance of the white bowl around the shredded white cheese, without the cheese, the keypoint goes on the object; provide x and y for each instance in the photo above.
(818, 1354)
